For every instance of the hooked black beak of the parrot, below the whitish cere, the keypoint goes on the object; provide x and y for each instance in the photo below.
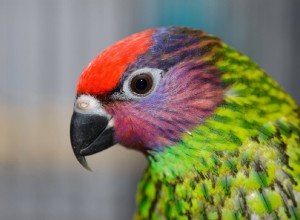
(90, 134)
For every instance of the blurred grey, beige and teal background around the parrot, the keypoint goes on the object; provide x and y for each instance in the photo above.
(45, 44)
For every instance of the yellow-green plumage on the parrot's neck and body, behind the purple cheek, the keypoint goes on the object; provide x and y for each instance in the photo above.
(242, 162)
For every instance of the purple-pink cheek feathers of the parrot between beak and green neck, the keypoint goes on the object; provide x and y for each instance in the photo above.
(187, 95)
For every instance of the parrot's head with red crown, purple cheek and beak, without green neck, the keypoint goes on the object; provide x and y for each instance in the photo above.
(146, 92)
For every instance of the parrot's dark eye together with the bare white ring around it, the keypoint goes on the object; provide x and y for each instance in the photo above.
(151, 79)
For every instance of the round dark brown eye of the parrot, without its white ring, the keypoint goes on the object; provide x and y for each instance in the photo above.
(141, 84)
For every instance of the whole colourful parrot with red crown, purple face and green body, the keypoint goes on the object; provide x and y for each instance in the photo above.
(221, 137)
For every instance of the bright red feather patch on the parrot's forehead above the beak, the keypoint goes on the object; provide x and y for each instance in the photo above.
(103, 73)
